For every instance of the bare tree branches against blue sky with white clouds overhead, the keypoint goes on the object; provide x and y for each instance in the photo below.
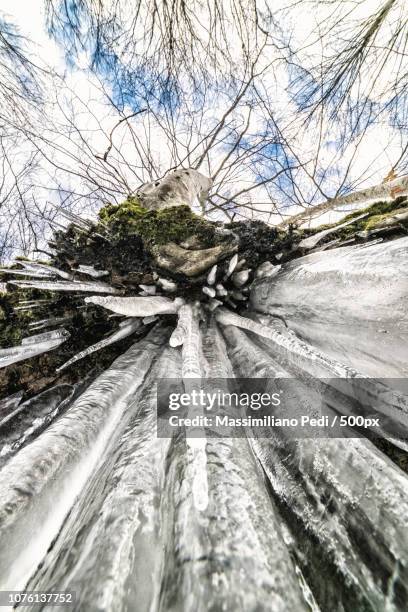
(283, 104)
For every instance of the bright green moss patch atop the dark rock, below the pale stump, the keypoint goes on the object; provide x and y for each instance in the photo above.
(157, 227)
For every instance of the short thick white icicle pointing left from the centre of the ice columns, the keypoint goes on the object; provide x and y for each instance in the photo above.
(137, 306)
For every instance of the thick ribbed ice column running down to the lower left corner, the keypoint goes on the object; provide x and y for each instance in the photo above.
(55, 467)
